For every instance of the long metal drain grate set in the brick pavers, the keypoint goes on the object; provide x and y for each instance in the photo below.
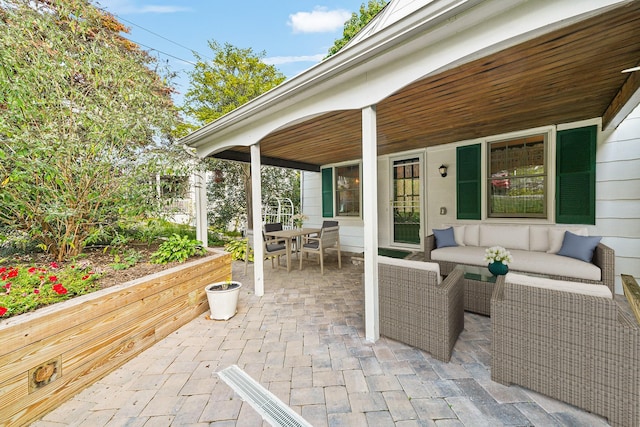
(272, 409)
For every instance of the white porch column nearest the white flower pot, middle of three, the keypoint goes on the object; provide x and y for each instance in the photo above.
(258, 243)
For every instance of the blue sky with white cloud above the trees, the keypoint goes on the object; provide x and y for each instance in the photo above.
(294, 34)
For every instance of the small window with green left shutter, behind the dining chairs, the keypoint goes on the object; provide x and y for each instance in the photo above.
(341, 188)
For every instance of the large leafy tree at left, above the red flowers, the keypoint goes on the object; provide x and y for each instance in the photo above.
(82, 120)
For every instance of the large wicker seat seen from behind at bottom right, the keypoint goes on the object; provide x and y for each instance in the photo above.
(577, 348)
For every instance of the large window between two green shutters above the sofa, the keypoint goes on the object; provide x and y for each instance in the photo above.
(517, 178)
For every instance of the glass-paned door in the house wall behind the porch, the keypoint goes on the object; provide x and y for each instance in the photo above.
(406, 201)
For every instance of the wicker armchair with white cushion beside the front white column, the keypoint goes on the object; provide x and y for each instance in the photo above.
(417, 310)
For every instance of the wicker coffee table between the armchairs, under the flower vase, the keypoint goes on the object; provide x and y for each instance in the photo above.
(478, 287)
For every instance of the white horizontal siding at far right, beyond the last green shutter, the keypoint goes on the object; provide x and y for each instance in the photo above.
(618, 194)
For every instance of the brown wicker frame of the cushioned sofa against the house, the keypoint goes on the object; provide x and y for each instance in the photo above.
(603, 257)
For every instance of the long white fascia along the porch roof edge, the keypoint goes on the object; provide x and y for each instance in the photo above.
(440, 36)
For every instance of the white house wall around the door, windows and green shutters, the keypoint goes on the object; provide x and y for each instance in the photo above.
(617, 195)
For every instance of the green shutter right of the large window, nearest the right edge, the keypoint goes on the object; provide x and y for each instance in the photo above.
(576, 176)
